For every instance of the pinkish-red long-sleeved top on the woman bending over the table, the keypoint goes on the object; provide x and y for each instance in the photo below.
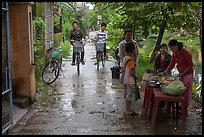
(183, 60)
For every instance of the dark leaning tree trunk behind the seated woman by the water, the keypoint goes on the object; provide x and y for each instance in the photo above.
(159, 39)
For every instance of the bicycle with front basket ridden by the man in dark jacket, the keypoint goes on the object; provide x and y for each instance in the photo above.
(78, 47)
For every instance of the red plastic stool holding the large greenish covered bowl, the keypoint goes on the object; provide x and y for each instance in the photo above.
(160, 96)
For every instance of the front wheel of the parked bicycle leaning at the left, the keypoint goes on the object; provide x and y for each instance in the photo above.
(50, 72)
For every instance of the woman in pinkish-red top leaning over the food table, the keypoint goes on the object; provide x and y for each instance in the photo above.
(183, 59)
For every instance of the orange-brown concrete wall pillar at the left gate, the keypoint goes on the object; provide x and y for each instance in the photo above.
(22, 56)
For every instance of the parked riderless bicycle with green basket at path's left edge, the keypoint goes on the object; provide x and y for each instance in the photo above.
(52, 68)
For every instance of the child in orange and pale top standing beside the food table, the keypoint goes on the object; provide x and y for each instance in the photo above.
(129, 80)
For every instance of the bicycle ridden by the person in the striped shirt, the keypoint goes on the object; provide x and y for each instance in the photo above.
(100, 55)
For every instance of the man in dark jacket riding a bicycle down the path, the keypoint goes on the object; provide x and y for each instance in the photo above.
(76, 35)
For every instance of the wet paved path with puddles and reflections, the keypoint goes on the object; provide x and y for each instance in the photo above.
(93, 104)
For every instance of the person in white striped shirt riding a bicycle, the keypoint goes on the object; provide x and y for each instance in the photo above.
(102, 37)
